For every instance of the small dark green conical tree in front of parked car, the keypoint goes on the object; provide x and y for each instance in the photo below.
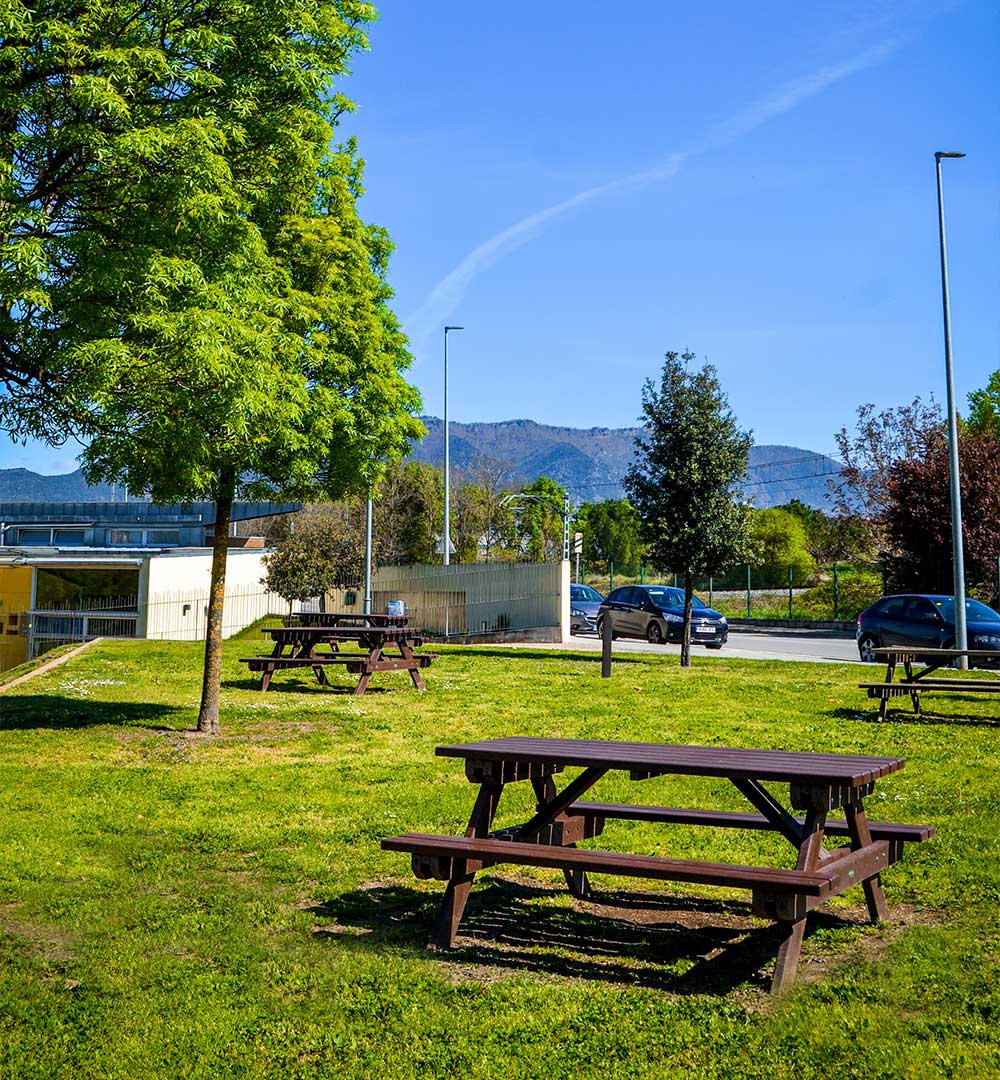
(690, 465)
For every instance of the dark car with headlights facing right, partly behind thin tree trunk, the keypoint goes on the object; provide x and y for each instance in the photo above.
(657, 614)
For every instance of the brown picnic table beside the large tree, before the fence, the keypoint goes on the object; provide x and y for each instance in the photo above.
(300, 646)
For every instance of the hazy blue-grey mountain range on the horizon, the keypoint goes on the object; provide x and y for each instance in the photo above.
(589, 463)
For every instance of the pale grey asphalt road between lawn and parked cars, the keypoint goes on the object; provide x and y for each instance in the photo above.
(808, 645)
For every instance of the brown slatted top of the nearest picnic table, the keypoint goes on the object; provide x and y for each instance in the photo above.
(733, 763)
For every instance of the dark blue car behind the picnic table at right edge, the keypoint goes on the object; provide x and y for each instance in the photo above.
(925, 619)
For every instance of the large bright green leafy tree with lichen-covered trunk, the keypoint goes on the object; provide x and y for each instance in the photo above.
(185, 280)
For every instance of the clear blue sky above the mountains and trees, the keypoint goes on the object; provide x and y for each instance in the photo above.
(585, 187)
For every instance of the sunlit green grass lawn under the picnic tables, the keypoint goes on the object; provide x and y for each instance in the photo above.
(180, 907)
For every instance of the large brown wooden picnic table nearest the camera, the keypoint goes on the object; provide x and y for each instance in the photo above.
(818, 784)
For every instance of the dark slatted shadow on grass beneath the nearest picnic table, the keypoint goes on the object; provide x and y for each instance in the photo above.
(681, 946)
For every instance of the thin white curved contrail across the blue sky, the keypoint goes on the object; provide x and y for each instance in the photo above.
(448, 294)
